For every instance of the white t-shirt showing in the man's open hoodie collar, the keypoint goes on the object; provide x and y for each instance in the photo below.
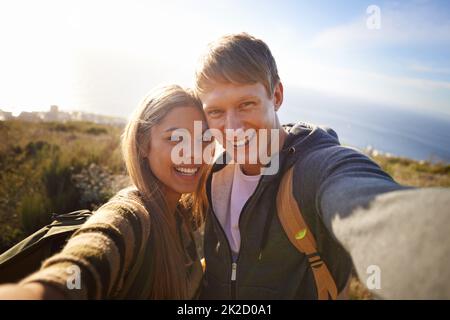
(243, 187)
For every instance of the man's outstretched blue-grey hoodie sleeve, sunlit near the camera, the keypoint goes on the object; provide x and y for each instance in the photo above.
(398, 237)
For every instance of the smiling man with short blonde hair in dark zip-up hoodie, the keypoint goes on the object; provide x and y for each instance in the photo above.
(356, 212)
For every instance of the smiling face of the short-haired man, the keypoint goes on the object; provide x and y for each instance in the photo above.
(242, 107)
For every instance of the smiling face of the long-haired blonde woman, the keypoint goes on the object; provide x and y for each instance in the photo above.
(178, 178)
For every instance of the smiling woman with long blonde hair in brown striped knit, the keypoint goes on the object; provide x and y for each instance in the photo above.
(140, 243)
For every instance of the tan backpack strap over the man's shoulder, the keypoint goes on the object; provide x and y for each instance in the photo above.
(301, 237)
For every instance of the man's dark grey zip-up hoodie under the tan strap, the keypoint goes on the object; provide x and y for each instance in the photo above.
(397, 237)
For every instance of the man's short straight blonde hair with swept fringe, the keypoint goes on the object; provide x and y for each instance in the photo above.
(239, 59)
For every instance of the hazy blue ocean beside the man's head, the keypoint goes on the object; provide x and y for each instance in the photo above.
(419, 135)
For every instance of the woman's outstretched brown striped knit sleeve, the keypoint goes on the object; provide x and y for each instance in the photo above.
(95, 261)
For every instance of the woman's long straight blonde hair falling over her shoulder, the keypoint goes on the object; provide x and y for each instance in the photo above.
(170, 280)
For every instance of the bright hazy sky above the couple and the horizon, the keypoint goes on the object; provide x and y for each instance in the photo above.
(104, 56)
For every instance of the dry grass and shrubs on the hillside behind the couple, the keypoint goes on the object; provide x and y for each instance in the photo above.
(39, 160)
